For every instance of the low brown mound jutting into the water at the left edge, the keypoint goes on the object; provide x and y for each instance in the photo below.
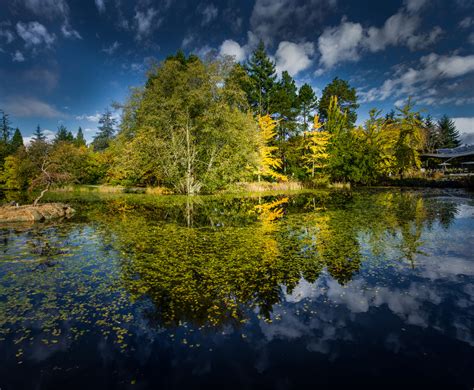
(39, 213)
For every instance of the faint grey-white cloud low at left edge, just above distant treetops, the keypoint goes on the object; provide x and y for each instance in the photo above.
(22, 106)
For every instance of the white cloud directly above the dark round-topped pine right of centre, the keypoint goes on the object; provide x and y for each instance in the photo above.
(340, 43)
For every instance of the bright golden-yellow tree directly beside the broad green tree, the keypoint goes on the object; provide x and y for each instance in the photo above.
(268, 162)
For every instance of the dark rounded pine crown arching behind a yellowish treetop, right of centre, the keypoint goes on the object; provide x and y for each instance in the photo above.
(347, 100)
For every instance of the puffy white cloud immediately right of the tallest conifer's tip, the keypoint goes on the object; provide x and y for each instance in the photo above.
(293, 57)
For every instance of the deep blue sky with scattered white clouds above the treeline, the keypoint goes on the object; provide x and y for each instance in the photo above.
(66, 61)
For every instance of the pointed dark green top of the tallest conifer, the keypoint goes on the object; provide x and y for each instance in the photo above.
(261, 70)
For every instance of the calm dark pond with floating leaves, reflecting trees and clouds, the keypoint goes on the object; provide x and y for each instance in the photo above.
(332, 289)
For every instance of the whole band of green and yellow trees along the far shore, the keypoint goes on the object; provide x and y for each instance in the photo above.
(198, 126)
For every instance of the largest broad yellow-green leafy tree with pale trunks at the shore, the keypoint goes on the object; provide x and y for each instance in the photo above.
(186, 130)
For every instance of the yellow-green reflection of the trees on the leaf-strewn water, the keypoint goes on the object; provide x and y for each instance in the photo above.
(236, 256)
